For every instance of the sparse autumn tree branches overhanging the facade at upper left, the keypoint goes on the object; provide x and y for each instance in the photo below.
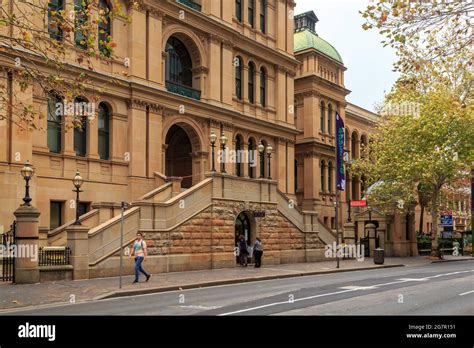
(37, 38)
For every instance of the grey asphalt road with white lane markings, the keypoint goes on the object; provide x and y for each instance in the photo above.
(433, 289)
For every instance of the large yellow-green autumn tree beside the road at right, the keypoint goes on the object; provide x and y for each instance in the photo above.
(414, 154)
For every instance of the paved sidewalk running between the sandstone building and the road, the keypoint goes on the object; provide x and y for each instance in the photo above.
(62, 292)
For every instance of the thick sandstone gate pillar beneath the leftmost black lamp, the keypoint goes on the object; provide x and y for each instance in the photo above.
(26, 240)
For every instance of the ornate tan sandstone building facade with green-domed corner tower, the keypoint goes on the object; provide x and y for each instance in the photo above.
(241, 71)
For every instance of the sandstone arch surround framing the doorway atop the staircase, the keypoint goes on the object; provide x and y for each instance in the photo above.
(198, 156)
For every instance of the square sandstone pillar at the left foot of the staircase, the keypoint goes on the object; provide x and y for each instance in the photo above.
(78, 242)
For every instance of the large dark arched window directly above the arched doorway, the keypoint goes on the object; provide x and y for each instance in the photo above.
(178, 63)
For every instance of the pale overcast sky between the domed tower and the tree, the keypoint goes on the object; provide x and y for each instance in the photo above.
(369, 65)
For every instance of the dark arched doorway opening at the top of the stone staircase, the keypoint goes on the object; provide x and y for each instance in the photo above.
(178, 155)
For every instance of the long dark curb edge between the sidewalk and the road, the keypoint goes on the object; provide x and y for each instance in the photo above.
(126, 293)
